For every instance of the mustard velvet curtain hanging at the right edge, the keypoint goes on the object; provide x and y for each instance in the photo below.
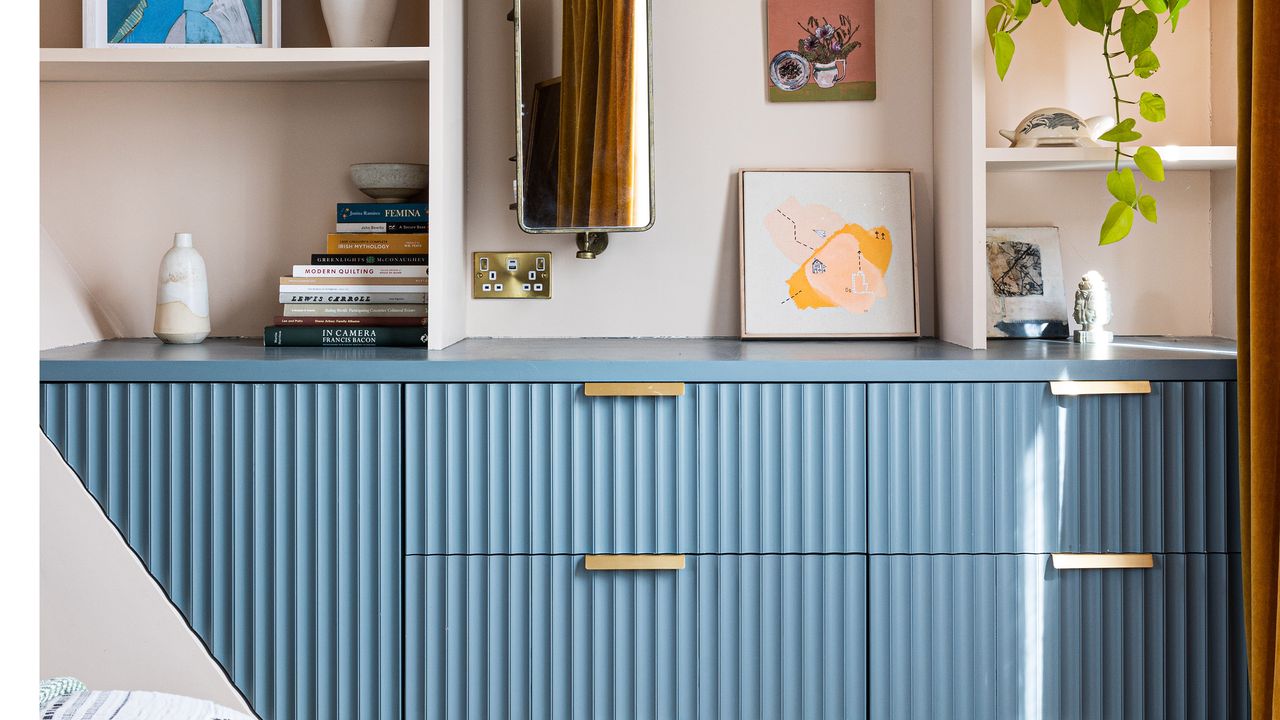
(1259, 268)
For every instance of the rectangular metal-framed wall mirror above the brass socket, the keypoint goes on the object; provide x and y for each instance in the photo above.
(584, 116)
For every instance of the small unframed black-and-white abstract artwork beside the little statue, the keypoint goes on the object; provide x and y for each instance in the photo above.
(1026, 293)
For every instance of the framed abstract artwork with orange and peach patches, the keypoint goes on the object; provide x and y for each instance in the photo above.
(829, 254)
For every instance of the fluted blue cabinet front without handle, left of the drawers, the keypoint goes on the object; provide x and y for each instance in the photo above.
(271, 514)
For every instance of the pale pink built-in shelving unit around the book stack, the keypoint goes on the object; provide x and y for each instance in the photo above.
(249, 149)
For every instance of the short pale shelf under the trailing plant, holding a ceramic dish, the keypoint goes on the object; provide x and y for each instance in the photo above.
(1177, 158)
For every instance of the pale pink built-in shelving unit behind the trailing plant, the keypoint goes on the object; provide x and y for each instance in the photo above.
(1176, 277)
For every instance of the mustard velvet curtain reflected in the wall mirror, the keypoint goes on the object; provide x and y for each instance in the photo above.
(597, 113)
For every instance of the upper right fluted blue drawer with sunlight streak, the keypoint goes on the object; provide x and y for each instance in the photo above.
(1012, 468)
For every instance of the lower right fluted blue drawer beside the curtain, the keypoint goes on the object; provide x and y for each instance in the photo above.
(1012, 637)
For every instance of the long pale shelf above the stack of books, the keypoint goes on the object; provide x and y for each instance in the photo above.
(232, 65)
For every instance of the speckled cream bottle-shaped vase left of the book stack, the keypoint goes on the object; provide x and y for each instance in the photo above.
(182, 297)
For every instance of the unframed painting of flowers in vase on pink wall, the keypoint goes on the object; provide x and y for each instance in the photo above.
(821, 51)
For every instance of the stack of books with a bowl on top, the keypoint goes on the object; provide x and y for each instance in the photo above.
(368, 289)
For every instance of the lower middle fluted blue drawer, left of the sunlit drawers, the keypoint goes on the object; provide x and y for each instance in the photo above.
(728, 637)
